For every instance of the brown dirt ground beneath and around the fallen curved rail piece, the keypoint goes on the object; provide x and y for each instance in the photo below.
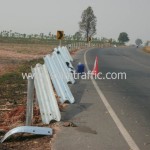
(30, 142)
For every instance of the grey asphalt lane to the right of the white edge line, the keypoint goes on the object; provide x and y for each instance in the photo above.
(130, 98)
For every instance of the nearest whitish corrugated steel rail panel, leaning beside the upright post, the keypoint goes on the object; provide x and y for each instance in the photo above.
(45, 95)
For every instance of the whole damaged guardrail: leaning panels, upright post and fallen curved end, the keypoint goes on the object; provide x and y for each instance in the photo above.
(56, 71)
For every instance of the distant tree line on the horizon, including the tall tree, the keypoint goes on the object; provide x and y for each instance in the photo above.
(86, 33)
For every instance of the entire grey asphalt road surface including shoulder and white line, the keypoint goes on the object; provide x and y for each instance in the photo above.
(110, 114)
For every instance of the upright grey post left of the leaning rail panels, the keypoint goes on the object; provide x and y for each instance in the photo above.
(30, 97)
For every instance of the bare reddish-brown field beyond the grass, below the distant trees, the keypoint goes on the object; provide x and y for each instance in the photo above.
(12, 55)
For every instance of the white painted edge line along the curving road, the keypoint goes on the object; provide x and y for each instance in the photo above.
(119, 124)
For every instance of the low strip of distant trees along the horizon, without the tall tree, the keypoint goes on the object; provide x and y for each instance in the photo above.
(15, 37)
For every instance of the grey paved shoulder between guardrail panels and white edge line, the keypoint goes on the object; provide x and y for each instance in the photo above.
(95, 128)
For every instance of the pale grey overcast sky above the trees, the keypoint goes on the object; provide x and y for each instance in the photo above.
(44, 16)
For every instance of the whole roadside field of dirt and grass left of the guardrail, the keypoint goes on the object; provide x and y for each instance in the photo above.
(16, 59)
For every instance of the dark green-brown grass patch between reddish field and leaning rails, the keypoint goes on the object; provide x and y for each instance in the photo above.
(12, 86)
